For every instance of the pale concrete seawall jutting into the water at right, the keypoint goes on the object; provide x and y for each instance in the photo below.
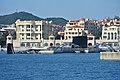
(110, 55)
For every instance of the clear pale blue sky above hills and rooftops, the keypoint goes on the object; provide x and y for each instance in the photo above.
(68, 9)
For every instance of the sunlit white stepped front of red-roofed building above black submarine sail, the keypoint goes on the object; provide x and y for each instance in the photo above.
(74, 28)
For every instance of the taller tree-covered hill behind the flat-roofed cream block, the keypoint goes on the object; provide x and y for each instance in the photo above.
(11, 18)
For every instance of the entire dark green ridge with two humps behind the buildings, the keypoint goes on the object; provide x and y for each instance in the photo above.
(11, 18)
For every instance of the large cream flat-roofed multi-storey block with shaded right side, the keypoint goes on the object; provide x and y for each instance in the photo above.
(31, 33)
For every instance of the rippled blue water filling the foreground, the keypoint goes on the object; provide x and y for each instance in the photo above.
(57, 67)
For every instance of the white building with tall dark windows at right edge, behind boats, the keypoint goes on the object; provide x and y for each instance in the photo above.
(110, 35)
